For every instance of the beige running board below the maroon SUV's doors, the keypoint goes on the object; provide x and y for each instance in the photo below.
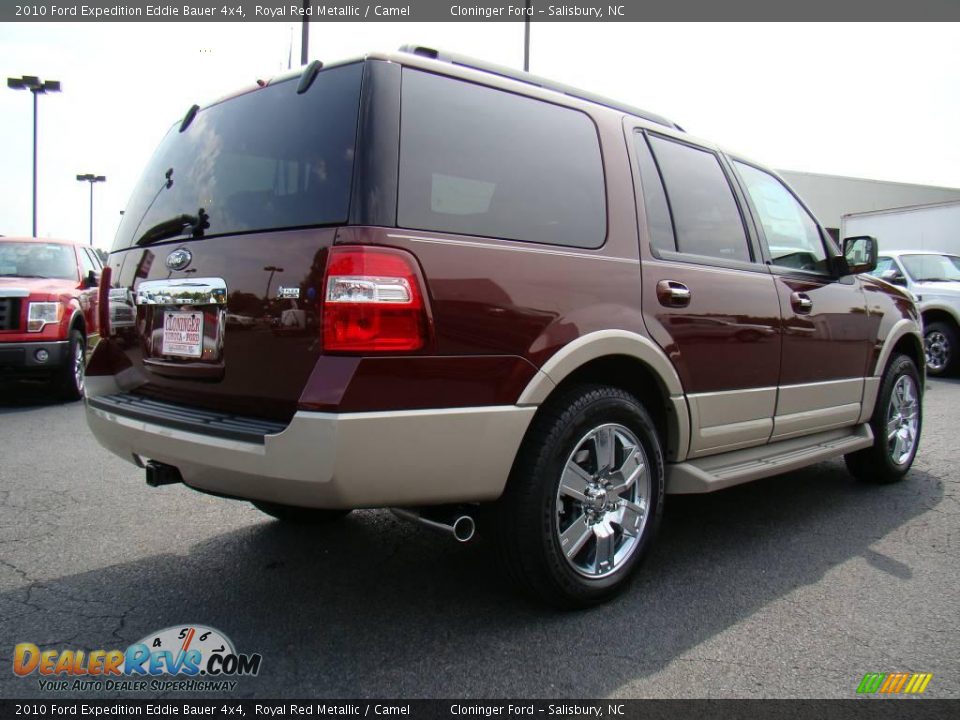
(733, 468)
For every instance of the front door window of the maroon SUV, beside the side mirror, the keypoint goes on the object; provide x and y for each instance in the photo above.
(792, 237)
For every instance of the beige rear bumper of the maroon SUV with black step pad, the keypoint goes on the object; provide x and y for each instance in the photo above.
(331, 460)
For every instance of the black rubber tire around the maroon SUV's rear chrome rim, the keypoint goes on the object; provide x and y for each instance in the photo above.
(612, 407)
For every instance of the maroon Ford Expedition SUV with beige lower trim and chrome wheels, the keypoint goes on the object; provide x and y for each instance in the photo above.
(467, 293)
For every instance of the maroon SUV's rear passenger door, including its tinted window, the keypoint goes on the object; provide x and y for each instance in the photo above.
(707, 299)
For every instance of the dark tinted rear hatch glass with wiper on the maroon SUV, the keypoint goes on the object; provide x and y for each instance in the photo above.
(268, 159)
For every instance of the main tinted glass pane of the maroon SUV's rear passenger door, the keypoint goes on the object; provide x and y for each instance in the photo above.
(705, 213)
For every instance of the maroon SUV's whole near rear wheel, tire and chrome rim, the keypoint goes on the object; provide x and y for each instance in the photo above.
(584, 498)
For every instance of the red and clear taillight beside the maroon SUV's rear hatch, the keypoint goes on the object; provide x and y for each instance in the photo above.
(373, 301)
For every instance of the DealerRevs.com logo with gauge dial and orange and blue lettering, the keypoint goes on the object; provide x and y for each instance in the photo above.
(185, 658)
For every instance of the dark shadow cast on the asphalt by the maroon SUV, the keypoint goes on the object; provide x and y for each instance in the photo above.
(372, 607)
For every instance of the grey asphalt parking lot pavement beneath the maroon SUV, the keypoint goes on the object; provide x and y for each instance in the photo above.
(789, 587)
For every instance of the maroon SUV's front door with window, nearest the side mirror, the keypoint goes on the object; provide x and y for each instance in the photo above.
(827, 333)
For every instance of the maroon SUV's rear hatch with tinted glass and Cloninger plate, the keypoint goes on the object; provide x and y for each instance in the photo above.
(222, 248)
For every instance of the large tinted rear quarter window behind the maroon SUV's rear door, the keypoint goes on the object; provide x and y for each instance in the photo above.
(480, 161)
